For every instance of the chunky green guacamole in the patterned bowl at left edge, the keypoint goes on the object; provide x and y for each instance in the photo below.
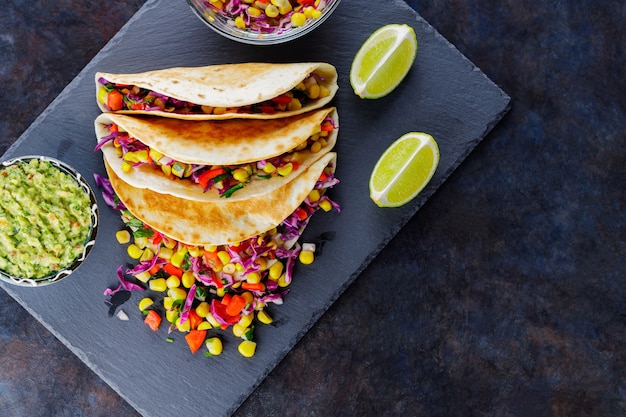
(45, 219)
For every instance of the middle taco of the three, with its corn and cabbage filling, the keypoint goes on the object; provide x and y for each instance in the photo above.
(214, 160)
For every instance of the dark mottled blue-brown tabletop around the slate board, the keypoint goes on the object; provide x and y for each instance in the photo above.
(509, 295)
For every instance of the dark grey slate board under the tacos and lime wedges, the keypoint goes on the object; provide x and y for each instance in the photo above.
(444, 94)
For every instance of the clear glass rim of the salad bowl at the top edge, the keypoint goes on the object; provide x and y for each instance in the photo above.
(254, 38)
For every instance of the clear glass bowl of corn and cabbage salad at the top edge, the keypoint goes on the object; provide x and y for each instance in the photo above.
(223, 22)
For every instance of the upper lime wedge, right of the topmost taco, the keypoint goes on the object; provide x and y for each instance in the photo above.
(383, 61)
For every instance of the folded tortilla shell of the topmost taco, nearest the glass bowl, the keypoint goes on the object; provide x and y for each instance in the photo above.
(242, 90)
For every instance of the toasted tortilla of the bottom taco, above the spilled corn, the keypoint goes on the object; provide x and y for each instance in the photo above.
(225, 222)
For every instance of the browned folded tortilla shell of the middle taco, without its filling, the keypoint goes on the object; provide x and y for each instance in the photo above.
(217, 143)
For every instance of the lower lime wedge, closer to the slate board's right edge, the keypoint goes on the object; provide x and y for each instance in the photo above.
(404, 169)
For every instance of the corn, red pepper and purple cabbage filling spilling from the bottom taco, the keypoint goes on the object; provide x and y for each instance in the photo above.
(202, 291)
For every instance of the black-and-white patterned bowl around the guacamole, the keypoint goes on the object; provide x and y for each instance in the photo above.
(63, 272)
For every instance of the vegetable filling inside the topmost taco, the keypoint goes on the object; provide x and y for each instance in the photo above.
(117, 97)
